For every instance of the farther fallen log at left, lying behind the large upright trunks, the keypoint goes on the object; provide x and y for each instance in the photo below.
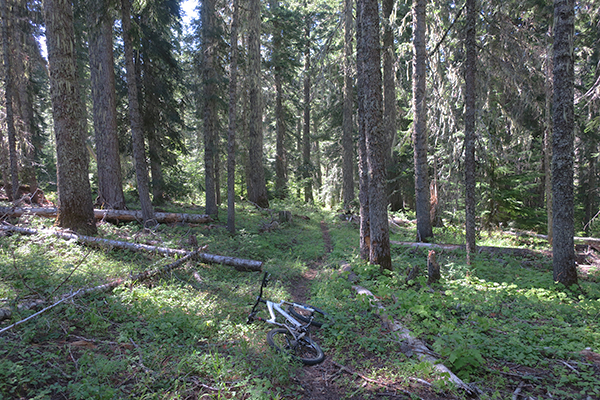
(121, 215)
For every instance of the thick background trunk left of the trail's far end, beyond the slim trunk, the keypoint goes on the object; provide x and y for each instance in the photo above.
(257, 189)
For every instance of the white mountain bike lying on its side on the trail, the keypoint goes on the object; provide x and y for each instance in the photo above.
(292, 336)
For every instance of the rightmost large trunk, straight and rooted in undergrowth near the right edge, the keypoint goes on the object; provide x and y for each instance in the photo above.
(563, 249)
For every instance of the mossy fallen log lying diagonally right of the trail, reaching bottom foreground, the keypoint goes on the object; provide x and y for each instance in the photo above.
(404, 336)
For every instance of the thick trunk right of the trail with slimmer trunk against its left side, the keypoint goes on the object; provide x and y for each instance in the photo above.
(377, 142)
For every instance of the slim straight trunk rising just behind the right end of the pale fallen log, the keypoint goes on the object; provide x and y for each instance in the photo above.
(210, 103)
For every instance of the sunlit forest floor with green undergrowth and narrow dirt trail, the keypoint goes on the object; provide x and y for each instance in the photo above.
(500, 324)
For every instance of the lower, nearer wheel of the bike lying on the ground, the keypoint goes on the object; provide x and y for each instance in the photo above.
(306, 350)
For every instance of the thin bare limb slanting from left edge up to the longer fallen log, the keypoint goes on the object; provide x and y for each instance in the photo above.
(6, 313)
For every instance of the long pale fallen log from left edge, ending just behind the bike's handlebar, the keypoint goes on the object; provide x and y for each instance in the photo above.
(240, 264)
